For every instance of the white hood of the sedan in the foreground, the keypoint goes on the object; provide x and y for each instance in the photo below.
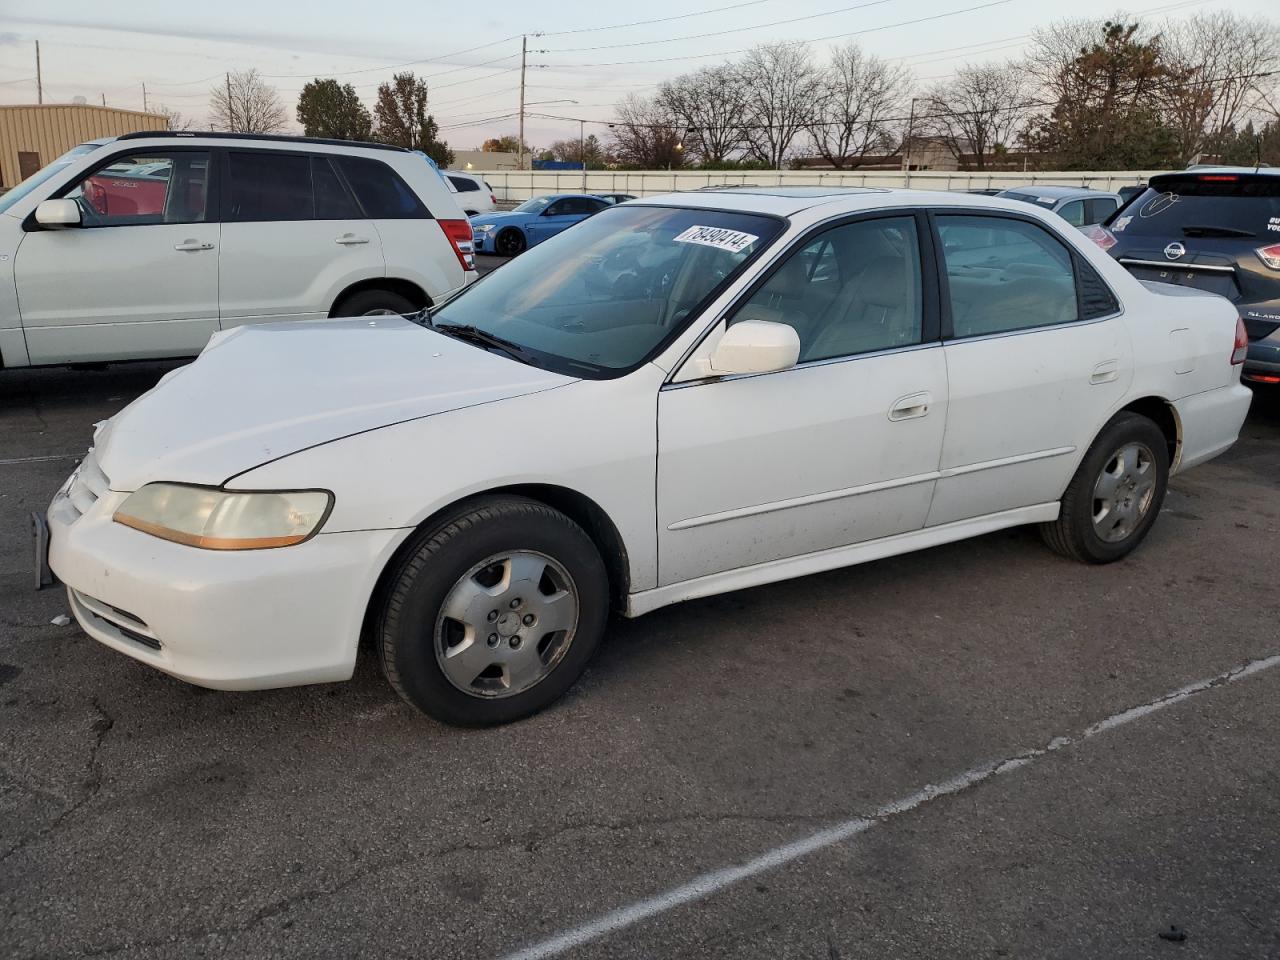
(259, 394)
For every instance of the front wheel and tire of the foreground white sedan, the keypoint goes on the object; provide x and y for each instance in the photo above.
(463, 630)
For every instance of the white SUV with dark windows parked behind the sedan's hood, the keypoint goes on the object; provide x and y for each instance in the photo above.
(147, 245)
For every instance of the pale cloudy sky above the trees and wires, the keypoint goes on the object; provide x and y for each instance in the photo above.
(589, 53)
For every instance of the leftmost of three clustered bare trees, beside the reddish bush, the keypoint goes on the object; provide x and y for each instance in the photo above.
(711, 104)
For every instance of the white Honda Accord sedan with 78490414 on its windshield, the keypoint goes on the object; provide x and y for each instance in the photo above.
(682, 396)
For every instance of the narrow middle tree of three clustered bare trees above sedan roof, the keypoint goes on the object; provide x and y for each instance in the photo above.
(781, 85)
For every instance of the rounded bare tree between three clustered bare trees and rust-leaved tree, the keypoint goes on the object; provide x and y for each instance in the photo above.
(980, 109)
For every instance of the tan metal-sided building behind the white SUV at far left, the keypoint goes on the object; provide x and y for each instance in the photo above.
(31, 136)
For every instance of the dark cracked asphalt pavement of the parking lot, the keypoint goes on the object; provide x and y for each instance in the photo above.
(981, 751)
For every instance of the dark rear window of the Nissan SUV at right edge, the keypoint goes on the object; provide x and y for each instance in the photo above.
(1205, 205)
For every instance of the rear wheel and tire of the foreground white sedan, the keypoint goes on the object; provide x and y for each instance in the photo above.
(1116, 495)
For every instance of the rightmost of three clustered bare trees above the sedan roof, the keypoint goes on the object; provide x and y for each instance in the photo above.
(860, 98)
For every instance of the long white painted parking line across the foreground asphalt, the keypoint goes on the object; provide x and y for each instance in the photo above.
(716, 881)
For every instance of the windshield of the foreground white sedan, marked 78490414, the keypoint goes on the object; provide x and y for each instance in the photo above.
(600, 299)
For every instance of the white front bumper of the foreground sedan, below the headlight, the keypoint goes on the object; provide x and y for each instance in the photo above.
(244, 620)
